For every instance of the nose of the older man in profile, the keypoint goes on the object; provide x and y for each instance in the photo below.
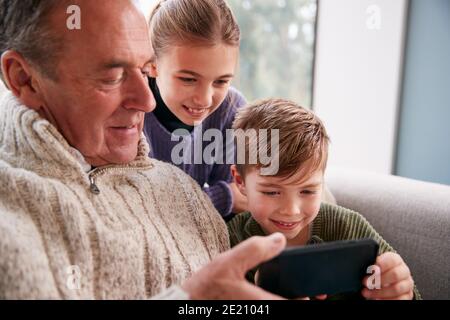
(140, 97)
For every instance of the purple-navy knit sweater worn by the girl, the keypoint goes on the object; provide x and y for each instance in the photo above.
(212, 177)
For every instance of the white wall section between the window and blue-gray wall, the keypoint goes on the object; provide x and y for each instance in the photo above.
(357, 79)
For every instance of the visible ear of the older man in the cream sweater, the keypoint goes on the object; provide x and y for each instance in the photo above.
(19, 79)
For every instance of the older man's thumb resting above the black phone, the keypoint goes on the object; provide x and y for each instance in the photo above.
(256, 250)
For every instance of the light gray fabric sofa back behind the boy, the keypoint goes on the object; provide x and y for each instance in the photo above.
(413, 216)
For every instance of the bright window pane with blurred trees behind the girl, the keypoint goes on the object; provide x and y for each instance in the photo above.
(277, 48)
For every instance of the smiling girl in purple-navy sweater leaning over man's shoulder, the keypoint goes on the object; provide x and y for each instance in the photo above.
(196, 50)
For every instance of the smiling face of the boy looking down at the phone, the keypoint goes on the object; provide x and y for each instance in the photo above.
(283, 205)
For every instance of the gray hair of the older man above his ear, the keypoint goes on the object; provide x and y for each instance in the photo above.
(24, 28)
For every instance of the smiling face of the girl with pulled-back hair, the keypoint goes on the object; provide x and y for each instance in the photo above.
(194, 80)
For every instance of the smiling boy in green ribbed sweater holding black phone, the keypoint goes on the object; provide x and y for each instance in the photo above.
(289, 201)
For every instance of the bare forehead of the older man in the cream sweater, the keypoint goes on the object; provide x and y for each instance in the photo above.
(111, 33)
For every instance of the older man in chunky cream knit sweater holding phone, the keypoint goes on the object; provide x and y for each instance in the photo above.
(84, 213)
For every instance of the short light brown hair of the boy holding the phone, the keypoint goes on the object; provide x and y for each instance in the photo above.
(303, 140)
